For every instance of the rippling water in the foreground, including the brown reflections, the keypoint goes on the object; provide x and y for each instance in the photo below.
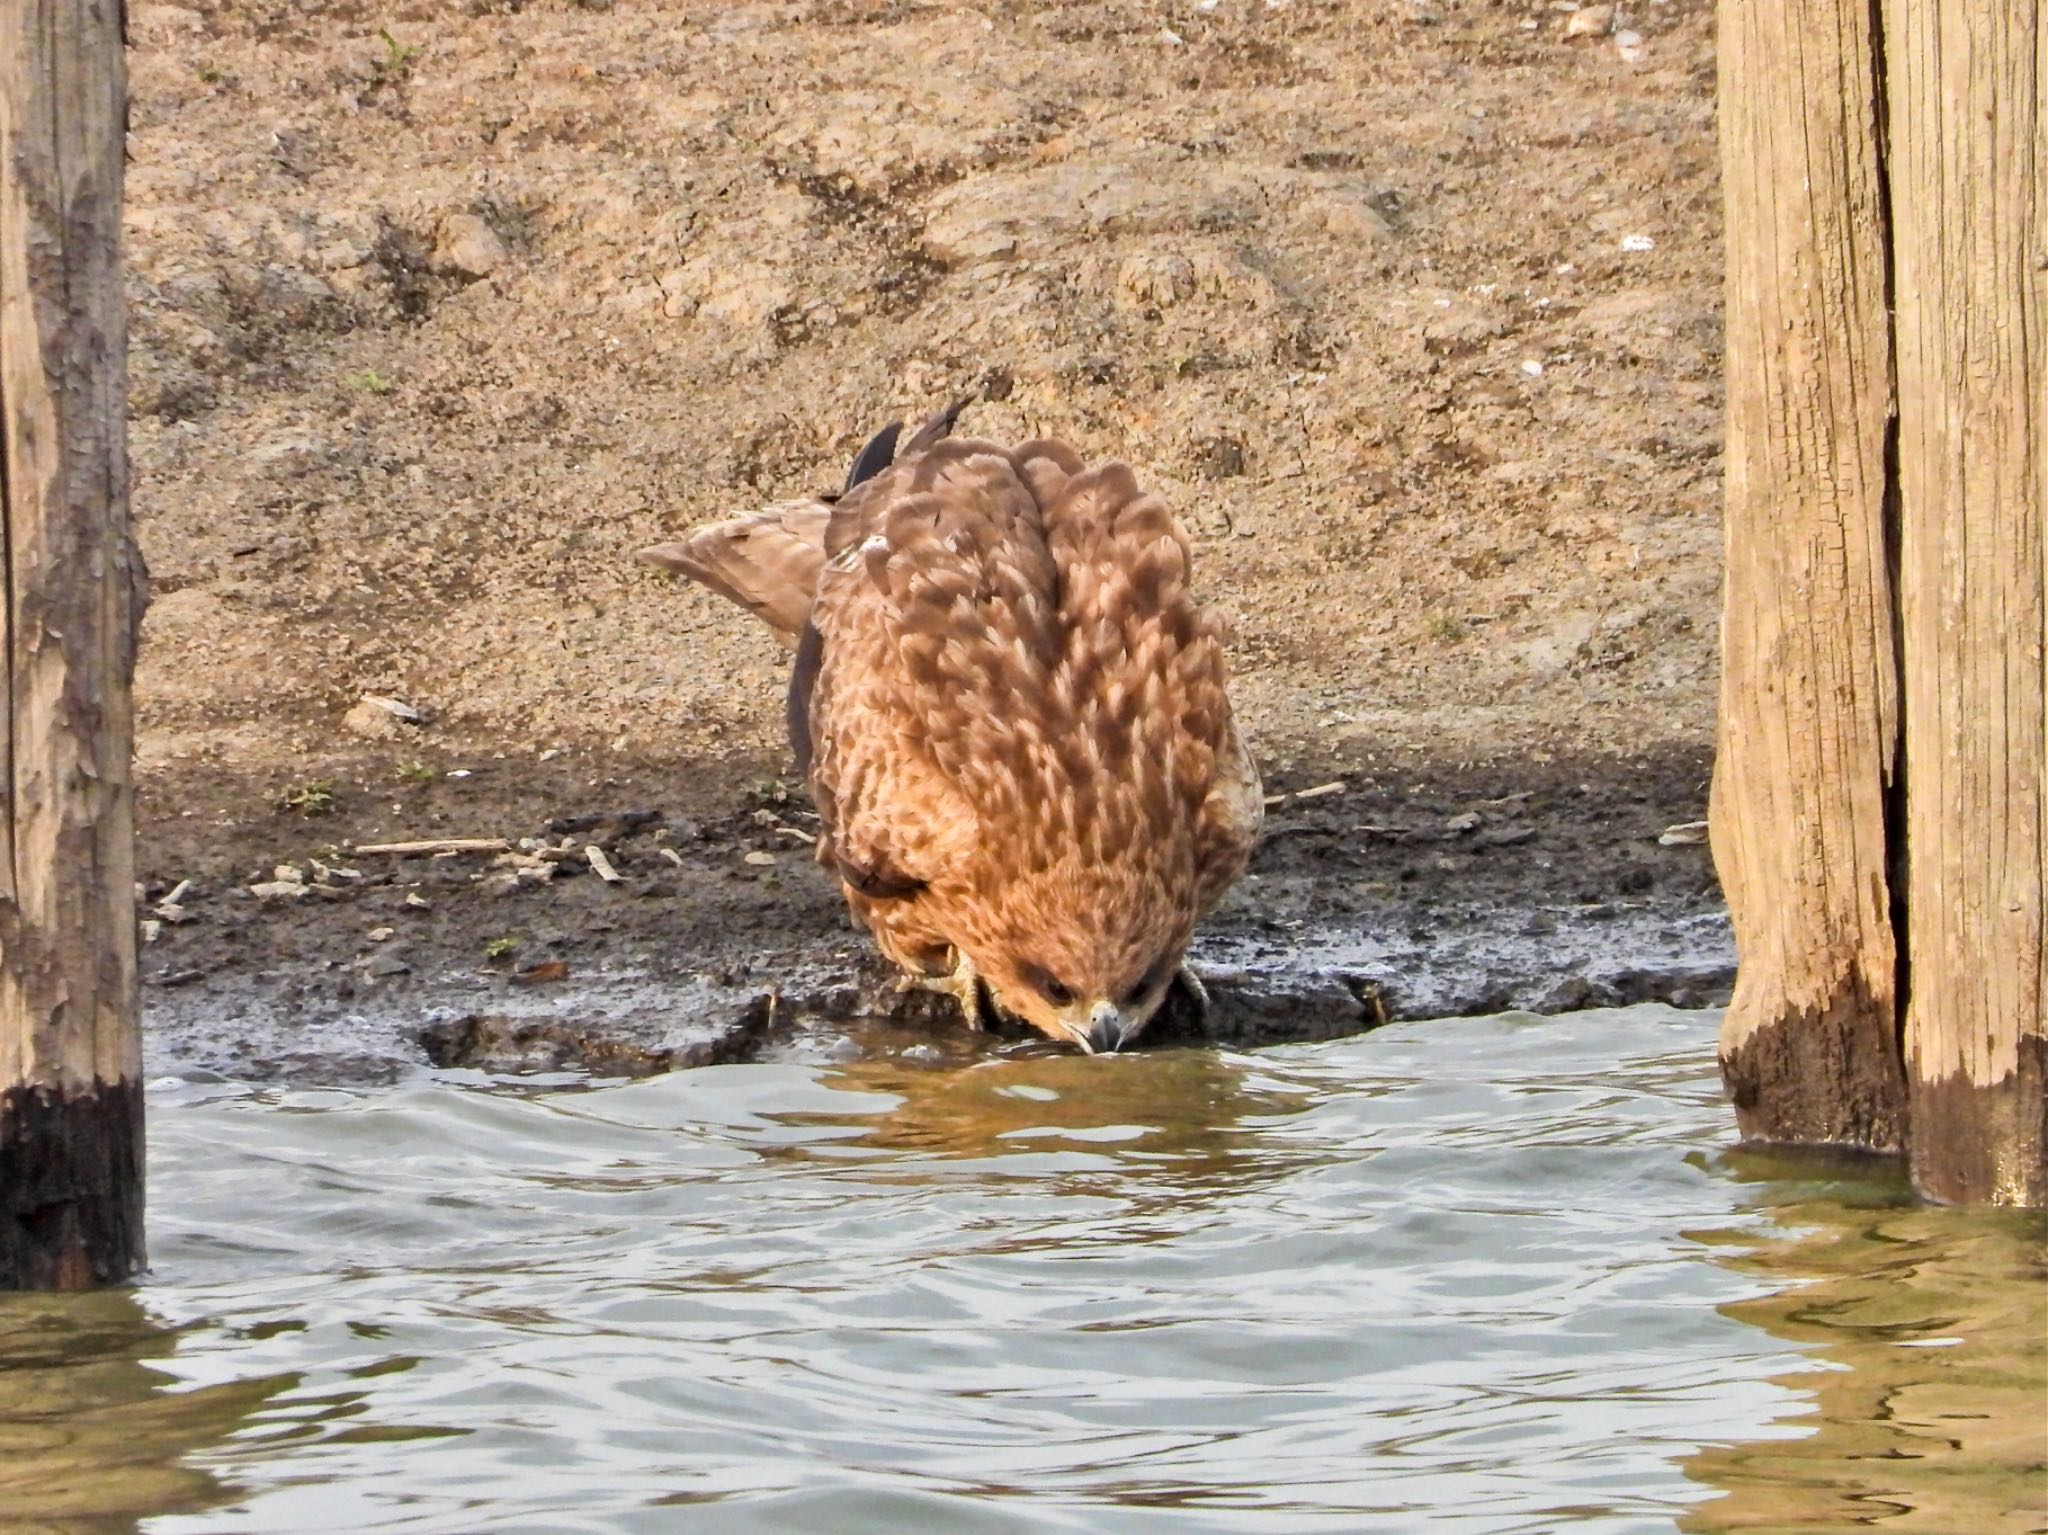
(1474, 1276)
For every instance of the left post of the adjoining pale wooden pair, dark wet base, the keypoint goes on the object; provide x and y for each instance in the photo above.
(1809, 707)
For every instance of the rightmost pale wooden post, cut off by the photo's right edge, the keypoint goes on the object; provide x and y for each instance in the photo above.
(1971, 238)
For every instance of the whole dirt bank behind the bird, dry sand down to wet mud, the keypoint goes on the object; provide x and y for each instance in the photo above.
(443, 310)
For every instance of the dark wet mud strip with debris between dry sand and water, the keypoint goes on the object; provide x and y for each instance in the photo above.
(638, 918)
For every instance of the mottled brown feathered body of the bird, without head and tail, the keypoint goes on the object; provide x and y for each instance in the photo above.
(1017, 674)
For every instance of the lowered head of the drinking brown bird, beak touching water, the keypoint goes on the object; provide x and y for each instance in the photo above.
(1084, 955)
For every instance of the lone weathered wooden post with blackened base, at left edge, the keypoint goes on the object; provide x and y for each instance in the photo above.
(71, 1045)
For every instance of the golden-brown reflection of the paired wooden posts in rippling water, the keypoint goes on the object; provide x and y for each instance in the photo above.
(1930, 1362)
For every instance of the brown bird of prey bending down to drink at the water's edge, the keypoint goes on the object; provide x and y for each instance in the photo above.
(1013, 717)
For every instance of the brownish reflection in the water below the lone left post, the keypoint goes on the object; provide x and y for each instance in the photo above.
(91, 1440)
